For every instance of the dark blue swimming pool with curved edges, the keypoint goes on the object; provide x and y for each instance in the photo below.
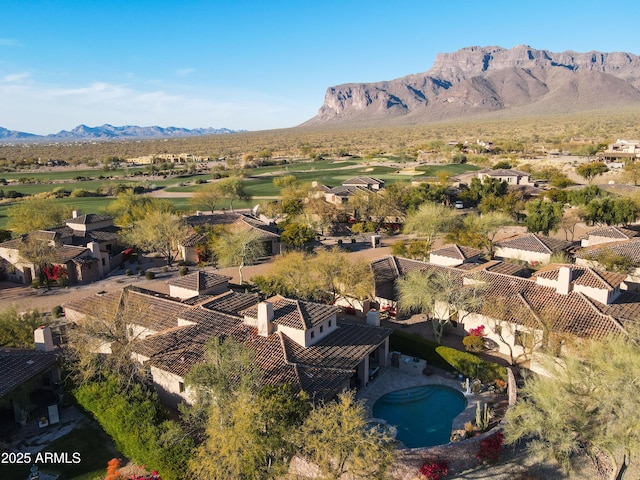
(422, 415)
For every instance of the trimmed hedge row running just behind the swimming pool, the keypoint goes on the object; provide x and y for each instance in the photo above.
(446, 358)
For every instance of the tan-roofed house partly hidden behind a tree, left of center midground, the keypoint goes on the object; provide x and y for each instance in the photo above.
(235, 222)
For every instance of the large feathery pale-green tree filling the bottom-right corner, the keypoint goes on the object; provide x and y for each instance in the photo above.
(586, 408)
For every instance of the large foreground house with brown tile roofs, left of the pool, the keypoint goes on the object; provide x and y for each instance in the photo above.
(301, 343)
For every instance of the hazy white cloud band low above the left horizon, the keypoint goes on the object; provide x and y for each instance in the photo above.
(44, 109)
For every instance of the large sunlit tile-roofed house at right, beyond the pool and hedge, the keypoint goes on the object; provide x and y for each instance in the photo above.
(526, 317)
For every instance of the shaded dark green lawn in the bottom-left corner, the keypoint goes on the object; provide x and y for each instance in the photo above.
(95, 449)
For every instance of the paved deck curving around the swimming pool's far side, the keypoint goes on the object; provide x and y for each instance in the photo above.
(408, 375)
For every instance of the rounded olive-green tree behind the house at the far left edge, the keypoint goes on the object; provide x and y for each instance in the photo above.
(37, 214)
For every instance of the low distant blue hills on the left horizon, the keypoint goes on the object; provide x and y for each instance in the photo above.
(109, 132)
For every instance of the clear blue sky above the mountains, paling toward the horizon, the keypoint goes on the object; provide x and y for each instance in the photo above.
(253, 65)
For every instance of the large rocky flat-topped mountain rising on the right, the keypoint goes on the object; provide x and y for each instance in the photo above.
(521, 81)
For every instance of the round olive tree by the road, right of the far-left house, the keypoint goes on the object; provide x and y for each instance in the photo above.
(159, 232)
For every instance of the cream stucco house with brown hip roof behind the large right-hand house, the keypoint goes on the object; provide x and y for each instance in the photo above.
(530, 247)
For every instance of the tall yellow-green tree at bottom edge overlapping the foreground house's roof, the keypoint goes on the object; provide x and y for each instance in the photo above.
(247, 425)
